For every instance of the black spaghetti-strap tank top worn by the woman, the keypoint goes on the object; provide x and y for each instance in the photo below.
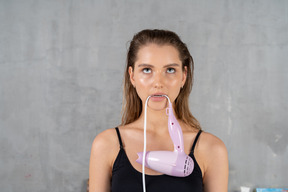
(125, 178)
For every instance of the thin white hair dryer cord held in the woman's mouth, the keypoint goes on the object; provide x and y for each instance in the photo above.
(144, 148)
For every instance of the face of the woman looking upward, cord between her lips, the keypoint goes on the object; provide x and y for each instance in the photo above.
(157, 71)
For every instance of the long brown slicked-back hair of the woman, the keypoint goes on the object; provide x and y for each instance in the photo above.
(132, 104)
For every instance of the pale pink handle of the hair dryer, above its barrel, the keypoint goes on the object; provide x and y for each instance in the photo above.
(175, 130)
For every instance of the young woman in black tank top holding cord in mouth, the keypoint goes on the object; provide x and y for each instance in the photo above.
(158, 63)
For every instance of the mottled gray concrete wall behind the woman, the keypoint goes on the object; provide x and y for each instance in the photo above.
(61, 69)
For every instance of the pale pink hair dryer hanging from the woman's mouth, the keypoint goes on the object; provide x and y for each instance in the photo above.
(173, 163)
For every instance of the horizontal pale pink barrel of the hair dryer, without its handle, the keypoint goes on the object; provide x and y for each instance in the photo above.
(168, 162)
